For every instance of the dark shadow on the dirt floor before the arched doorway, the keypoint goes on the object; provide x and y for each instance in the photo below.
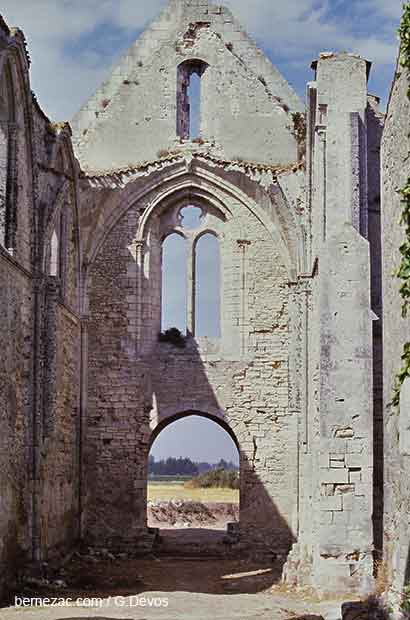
(103, 578)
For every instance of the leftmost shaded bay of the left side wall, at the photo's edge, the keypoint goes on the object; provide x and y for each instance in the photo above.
(16, 329)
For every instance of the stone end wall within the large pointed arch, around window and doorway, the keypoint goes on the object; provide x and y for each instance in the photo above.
(134, 385)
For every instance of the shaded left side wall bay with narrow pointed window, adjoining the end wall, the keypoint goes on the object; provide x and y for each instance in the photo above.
(57, 449)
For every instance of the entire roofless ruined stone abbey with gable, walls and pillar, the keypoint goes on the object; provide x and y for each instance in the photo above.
(301, 198)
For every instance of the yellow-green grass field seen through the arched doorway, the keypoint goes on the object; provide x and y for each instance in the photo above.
(167, 491)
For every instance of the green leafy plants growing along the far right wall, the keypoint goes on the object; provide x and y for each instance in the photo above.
(404, 270)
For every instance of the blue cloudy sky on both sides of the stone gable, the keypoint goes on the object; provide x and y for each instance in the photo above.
(294, 31)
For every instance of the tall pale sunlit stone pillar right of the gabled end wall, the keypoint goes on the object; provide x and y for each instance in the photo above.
(343, 502)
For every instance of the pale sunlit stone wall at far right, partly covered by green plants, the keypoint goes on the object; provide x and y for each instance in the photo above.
(395, 172)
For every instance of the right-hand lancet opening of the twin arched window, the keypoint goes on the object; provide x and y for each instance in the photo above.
(207, 287)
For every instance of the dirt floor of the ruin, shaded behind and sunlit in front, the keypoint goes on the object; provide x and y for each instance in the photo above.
(98, 587)
